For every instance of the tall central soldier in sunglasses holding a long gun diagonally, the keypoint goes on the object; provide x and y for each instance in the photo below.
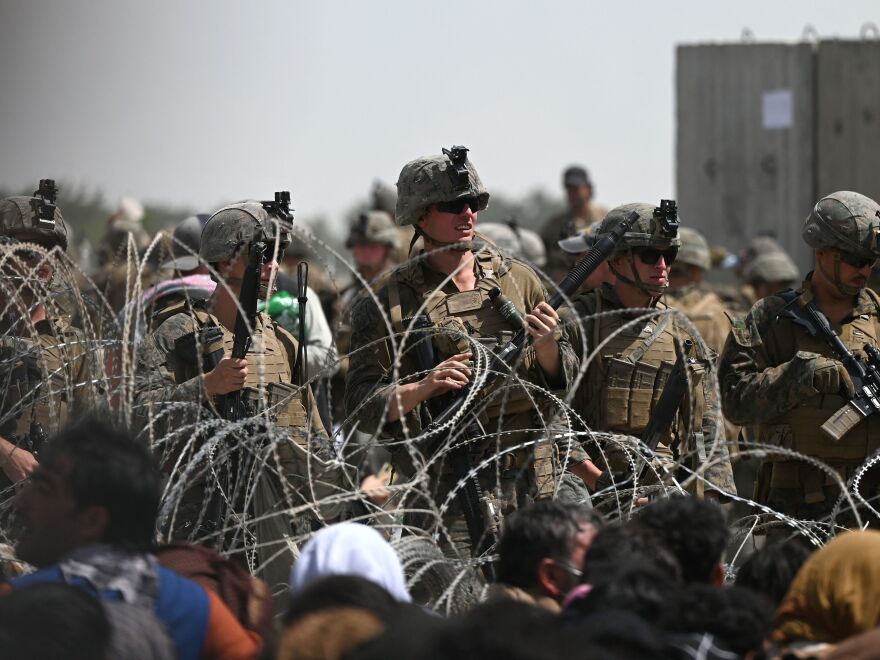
(389, 394)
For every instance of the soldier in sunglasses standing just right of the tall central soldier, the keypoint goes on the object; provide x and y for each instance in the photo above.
(634, 354)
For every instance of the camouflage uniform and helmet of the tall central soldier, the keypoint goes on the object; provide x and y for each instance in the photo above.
(459, 318)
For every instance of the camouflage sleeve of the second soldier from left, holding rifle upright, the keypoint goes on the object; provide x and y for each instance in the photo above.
(155, 382)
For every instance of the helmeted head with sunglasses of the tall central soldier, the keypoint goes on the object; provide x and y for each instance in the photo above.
(441, 195)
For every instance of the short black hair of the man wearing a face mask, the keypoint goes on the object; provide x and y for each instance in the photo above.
(545, 529)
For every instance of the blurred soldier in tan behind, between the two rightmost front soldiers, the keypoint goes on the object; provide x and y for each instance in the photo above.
(688, 294)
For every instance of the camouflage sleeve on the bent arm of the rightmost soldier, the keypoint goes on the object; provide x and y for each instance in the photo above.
(753, 389)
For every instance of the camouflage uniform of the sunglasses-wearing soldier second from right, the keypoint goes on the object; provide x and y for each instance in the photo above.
(625, 378)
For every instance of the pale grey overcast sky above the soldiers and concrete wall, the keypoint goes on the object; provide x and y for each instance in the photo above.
(198, 102)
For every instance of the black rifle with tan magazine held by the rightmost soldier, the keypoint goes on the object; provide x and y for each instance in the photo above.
(865, 374)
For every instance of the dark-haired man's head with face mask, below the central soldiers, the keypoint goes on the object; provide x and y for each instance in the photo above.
(543, 546)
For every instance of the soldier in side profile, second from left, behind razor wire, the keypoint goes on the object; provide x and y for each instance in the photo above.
(283, 439)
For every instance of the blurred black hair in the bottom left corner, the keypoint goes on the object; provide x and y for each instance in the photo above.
(53, 620)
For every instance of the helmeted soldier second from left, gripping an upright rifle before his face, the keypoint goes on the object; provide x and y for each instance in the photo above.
(244, 447)
